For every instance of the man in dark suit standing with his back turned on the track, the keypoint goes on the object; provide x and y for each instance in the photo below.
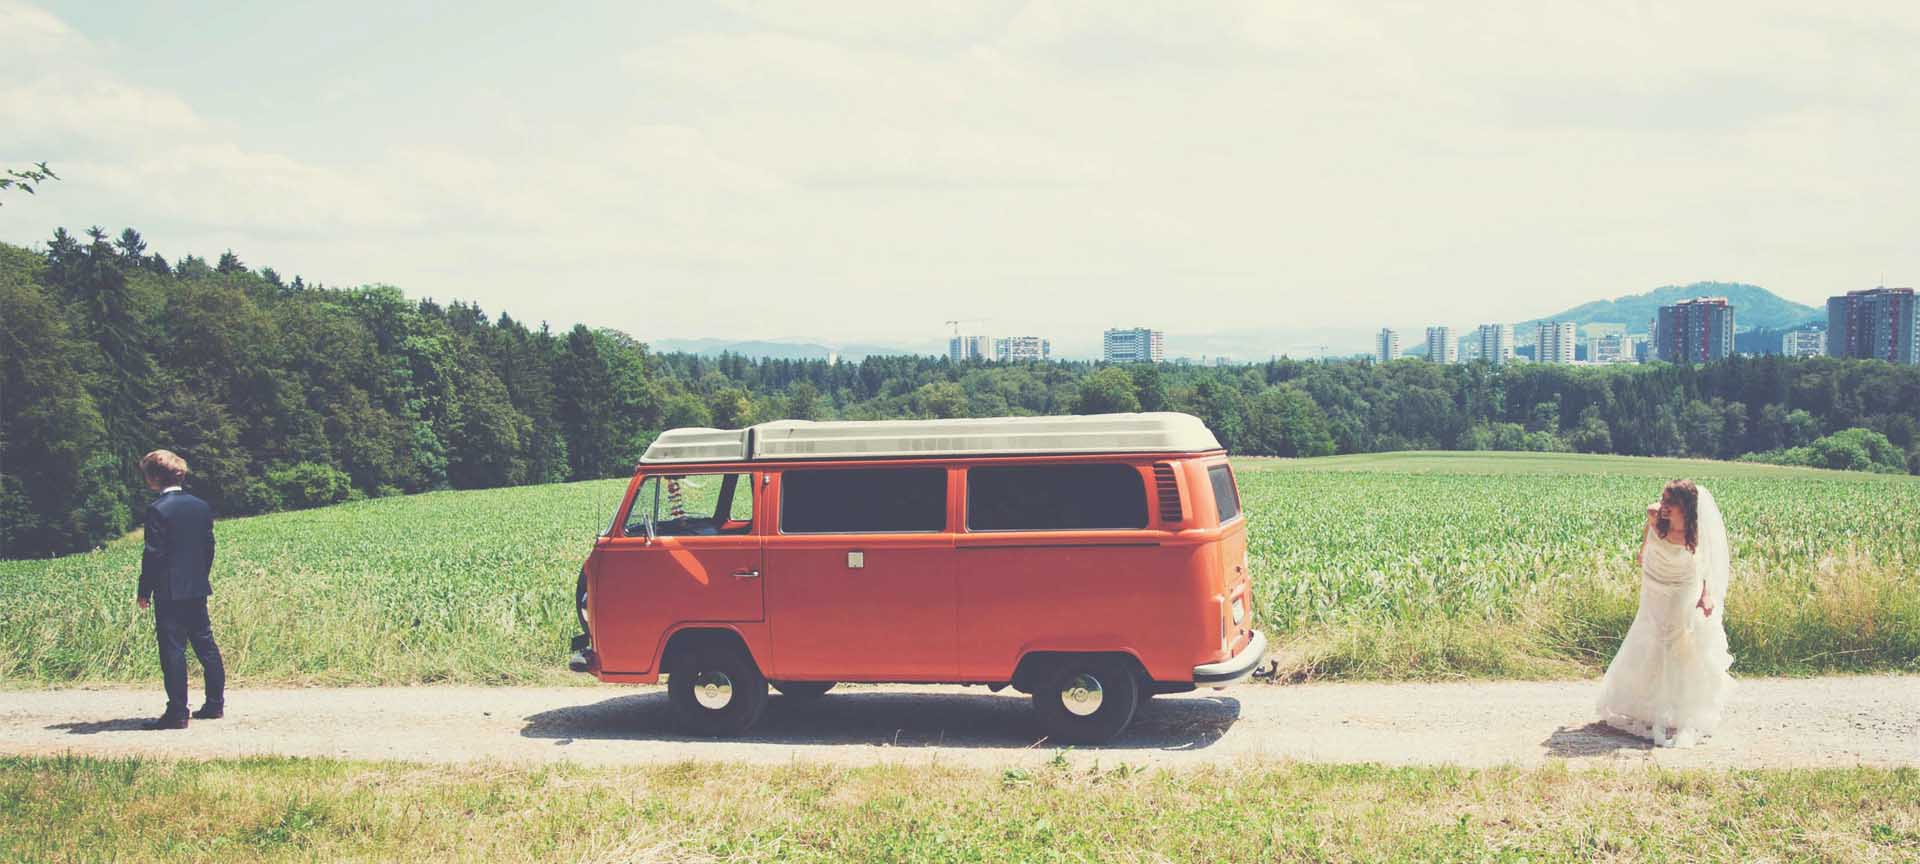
(174, 581)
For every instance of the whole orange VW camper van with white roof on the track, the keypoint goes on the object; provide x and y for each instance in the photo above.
(1090, 562)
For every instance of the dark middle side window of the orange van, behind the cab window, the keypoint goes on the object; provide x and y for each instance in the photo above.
(863, 500)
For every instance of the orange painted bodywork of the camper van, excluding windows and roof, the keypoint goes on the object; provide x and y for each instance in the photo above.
(949, 606)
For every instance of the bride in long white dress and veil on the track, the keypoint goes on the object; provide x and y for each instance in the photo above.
(1669, 681)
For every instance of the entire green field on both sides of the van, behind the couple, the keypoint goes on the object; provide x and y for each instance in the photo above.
(1404, 565)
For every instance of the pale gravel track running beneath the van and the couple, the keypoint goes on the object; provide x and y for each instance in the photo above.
(1771, 723)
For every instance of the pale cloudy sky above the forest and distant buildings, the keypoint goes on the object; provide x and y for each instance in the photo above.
(865, 172)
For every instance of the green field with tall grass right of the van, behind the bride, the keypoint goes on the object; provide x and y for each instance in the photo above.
(1372, 573)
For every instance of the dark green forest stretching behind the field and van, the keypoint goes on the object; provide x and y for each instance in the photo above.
(285, 395)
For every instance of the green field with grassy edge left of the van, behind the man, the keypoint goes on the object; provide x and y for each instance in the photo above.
(458, 587)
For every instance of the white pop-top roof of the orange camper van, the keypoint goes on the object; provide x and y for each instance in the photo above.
(1153, 433)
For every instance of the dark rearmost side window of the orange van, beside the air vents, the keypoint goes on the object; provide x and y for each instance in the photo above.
(1038, 498)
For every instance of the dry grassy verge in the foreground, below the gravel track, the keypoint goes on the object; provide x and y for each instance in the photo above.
(272, 809)
